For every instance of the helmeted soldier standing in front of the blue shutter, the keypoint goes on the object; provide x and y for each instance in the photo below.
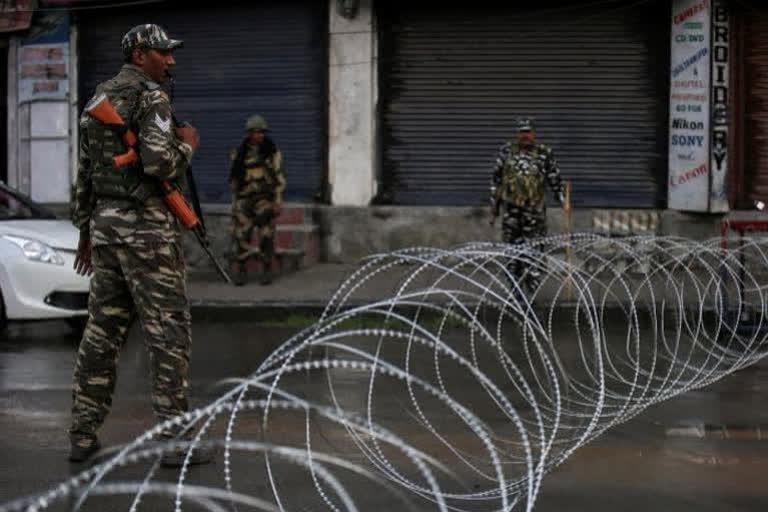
(257, 179)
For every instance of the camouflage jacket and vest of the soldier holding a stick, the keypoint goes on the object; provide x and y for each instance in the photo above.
(519, 176)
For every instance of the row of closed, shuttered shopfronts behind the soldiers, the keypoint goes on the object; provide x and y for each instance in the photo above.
(655, 105)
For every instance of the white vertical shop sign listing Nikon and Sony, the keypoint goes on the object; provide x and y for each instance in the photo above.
(689, 106)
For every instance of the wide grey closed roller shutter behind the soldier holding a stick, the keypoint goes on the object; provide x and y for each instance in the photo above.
(454, 79)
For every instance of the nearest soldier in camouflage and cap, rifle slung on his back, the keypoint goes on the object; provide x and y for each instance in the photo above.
(130, 241)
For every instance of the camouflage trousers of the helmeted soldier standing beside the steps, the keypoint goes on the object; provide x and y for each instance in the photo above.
(249, 214)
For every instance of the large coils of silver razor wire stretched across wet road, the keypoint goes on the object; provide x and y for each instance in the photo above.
(499, 361)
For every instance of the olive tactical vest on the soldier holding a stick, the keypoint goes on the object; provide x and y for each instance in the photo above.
(524, 179)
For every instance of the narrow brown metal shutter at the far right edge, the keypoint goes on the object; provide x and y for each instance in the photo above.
(756, 104)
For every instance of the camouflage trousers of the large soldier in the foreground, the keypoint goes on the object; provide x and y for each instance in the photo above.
(128, 281)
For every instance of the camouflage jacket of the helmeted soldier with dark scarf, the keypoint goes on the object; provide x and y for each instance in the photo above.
(261, 174)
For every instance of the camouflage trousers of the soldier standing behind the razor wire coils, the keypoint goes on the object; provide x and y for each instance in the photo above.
(518, 226)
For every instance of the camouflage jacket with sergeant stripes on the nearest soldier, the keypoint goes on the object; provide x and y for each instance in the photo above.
(114, 220)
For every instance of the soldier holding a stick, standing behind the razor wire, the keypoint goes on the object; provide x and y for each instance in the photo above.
(521, 171)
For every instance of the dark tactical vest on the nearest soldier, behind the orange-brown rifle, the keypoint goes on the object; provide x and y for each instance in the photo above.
(127, 182)
